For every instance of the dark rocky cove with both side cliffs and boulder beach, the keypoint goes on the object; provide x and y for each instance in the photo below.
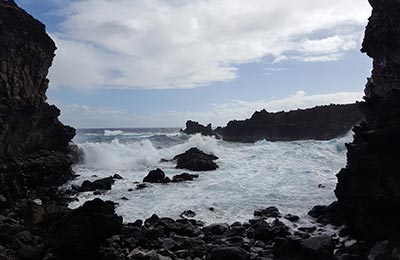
(36, 158)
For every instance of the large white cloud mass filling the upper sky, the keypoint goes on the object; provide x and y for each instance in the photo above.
(188, 43)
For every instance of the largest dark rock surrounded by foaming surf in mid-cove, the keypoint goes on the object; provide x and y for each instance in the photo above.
(196, 160)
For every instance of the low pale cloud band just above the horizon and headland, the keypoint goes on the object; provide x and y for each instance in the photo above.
(84, 116)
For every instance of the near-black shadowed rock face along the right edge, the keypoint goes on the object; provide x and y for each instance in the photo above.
(369, 187)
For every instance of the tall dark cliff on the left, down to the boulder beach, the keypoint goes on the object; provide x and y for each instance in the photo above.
(34, 144)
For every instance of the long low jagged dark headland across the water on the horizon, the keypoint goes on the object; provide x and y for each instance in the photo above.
(318, 123)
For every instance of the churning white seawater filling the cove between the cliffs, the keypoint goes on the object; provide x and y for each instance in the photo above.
(293, 176)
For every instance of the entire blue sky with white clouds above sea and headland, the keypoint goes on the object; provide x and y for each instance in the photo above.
(155, 63)
